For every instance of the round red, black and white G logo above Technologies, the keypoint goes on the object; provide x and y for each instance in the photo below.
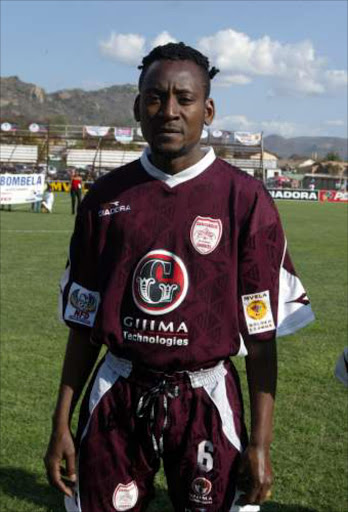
(160, 282)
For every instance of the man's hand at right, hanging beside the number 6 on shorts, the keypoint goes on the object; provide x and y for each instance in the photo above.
(255, 475)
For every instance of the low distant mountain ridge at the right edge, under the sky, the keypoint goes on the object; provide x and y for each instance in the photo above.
(306, 146)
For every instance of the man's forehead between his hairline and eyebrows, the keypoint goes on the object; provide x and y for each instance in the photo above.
(182, 74)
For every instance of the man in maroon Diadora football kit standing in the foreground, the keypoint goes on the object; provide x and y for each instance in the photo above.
(181, 262)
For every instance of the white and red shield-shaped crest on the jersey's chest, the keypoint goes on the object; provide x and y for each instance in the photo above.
(206, 234)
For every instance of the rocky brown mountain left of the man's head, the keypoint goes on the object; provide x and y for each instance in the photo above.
(22, 101)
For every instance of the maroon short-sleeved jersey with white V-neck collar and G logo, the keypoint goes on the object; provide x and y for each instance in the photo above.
(176, 272)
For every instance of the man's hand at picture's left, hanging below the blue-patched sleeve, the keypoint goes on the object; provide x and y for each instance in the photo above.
(61, 448)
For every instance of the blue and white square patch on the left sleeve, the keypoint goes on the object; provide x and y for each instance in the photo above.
(82, 305)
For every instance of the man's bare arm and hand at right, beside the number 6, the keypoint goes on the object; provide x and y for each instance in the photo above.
(255, 475)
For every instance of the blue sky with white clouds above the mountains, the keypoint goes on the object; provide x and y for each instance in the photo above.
(283, 64)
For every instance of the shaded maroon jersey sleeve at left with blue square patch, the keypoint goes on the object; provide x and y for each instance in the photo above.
(79, 297)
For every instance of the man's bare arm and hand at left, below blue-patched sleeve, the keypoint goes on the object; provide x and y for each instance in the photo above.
(80, 358)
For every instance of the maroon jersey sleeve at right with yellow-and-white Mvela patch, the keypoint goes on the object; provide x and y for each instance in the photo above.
(272, 299)
